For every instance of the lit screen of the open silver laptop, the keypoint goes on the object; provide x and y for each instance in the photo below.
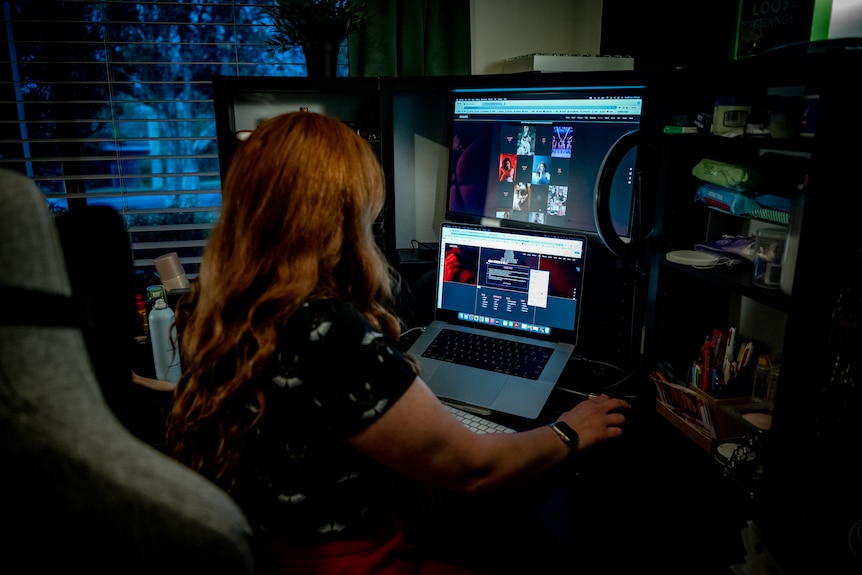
(525, 282)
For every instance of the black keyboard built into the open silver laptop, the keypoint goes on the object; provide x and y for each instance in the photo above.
(487, 352)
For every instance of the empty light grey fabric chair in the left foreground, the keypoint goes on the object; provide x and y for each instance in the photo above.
(77, 489)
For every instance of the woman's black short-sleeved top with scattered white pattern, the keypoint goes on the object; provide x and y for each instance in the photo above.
(332, 376)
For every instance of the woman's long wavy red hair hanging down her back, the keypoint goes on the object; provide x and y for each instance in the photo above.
(298, 206)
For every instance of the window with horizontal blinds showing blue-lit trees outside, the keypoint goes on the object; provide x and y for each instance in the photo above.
(110, 103)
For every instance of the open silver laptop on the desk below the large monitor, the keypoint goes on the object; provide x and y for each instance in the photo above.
(519, 286)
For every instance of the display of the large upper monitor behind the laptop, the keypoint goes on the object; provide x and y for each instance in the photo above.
(534, 156)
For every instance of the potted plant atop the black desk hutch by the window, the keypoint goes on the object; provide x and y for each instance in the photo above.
(318, 26)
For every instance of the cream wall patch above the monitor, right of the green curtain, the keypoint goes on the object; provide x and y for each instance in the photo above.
(508, 28)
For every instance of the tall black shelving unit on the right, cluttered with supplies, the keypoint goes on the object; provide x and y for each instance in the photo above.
(808, 468)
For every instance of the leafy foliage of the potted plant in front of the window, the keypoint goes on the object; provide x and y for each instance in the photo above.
(299, 22)
